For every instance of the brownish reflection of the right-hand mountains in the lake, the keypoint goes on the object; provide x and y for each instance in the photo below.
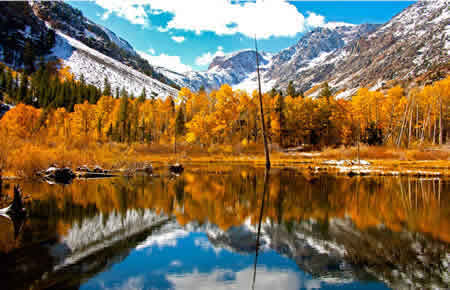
(337, 252)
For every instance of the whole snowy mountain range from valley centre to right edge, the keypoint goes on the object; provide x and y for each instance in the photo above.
(414, 42)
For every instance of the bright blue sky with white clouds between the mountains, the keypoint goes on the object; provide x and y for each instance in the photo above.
(185, 35)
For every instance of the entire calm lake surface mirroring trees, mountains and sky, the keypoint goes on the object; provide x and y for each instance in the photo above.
(230, 227)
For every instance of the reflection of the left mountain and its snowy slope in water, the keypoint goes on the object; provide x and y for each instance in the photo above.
(88, 248)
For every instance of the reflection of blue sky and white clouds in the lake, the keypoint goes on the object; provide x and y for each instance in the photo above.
(185, 260)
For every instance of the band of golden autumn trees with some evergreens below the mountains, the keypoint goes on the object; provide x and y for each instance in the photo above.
(52, 104)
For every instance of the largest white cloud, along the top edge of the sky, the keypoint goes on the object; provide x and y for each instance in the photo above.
(263, 18)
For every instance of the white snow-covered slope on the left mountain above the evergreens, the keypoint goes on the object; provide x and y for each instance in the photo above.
(95, 66)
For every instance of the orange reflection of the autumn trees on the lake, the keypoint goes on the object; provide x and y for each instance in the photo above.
(228, 196)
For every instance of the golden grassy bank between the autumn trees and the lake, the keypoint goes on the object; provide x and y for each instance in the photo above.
(25, 159)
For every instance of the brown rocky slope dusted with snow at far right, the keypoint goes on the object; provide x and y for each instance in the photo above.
(410, 44)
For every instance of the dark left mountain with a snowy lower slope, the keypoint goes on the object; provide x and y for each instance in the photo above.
(58, 31)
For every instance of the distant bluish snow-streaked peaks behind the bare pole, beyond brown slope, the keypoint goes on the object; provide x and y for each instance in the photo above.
(239, 68)
